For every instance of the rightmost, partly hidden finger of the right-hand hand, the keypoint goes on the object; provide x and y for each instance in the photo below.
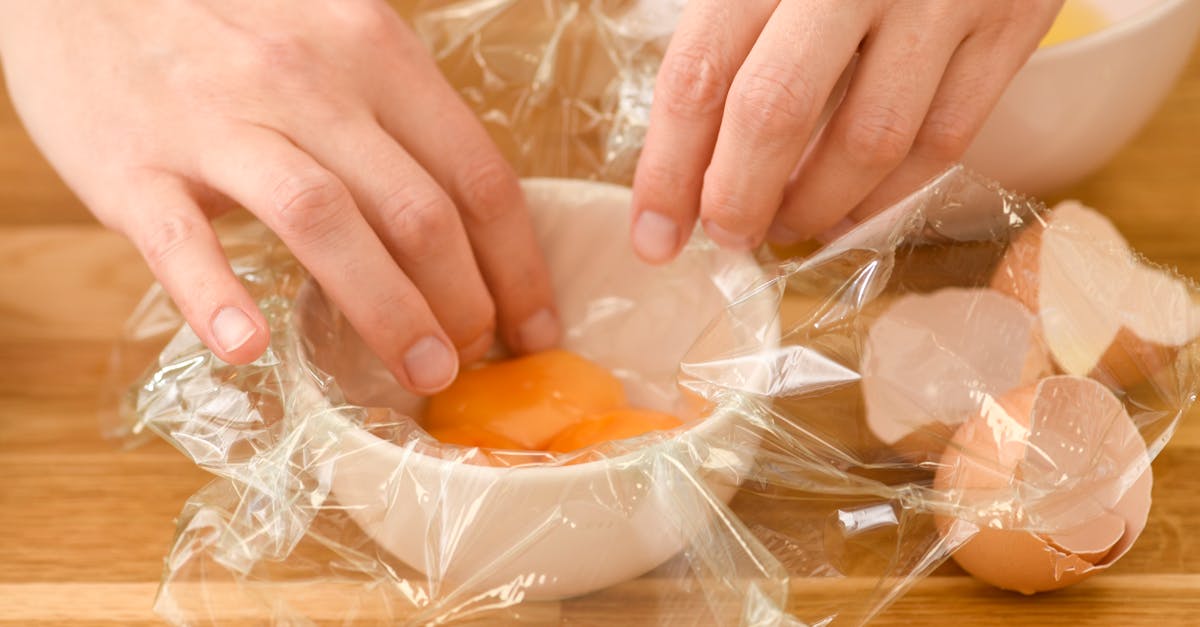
(974, 82)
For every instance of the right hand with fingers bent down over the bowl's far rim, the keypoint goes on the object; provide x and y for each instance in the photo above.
(743, 86)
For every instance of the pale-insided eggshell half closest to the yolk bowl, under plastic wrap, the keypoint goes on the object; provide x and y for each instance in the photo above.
(931, 360)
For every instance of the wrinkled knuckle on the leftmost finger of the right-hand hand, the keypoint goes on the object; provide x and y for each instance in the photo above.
(692, 81)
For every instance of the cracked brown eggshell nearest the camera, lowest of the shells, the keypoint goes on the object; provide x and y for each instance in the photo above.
(1064, 427)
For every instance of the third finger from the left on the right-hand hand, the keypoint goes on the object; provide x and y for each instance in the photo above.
(872, 133)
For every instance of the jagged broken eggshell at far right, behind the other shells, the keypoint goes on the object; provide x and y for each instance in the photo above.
(1102, 312)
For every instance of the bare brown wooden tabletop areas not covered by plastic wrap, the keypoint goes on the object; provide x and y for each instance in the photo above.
(85, 527)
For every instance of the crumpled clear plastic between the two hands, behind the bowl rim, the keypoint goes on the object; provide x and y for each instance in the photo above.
(565, 87)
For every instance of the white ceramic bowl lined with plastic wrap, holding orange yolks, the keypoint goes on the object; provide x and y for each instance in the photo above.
(559, 532)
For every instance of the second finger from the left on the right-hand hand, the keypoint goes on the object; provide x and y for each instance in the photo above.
(772, 112)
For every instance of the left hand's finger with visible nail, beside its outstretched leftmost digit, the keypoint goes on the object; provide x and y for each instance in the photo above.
(315, 216)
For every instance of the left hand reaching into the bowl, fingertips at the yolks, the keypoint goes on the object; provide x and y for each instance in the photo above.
(331, 123)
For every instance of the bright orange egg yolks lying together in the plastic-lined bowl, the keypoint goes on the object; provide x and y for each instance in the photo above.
(554, 402)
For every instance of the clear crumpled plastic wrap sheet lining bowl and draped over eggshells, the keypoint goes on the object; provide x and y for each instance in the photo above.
(814, 481)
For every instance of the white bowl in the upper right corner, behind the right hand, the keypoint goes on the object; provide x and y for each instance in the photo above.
(1075, 105)
